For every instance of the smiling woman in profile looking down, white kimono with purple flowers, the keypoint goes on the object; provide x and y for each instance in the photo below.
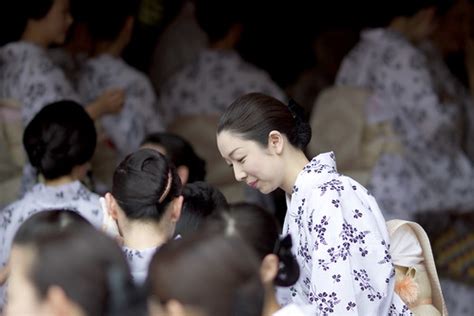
(339, 235)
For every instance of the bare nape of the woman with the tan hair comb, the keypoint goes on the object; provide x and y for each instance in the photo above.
(143, 235)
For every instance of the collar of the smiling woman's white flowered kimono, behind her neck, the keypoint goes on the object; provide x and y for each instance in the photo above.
(319, 170)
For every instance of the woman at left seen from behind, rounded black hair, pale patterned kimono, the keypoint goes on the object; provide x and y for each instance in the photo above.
(59, 142)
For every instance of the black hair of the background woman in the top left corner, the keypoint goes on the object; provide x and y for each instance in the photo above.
(15, 15)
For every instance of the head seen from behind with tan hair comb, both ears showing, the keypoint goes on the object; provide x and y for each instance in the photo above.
(146, 191)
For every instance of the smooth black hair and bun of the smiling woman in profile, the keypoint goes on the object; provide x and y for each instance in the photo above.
(253, 116)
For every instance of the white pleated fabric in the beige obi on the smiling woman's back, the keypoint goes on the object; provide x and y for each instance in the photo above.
(405, 248)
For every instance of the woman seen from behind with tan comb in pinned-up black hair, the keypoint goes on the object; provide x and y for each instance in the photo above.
(146, 204)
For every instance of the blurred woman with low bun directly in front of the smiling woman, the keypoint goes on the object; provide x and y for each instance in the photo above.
(278, 267)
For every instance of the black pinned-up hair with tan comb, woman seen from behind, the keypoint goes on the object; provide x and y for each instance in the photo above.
(144, 184)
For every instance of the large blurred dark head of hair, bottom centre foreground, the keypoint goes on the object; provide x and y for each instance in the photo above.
(226, 268)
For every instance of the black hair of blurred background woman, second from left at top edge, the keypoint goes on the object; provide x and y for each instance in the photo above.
(116, 13)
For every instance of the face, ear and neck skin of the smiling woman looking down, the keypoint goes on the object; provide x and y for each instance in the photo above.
(264, 167)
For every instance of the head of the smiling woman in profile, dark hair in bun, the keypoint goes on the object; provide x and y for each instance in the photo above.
(258, 135)
